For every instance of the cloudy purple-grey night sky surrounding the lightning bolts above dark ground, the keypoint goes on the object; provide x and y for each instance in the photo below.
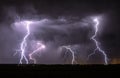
(66, 25)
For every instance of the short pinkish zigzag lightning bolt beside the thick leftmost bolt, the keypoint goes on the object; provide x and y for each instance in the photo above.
(40, 47)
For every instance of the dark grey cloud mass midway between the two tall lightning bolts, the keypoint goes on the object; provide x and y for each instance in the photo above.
(65, 31)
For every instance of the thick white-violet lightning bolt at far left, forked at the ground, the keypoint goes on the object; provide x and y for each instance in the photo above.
(23, 44)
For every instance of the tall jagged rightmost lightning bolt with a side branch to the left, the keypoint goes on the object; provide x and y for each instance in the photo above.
(97, 43)
